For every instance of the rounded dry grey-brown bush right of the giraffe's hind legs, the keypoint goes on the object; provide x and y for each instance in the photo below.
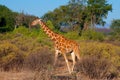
(94, 67)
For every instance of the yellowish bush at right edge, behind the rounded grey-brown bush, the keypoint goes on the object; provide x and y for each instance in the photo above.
(103, 51)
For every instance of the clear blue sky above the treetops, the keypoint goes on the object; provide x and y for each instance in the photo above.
(40, 7)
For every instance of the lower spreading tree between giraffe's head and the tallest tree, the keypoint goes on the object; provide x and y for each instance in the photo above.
(63, 15)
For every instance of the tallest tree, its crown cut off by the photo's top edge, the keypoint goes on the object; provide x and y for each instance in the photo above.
(92, 12)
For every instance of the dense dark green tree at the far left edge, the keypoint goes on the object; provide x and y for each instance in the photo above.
(6, 19)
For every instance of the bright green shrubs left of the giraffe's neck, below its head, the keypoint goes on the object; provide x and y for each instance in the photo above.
(36, 34)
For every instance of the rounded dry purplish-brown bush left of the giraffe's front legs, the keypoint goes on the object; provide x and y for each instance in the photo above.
(39, 59)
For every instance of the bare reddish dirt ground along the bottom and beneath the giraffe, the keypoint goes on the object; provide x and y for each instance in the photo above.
(60, 71)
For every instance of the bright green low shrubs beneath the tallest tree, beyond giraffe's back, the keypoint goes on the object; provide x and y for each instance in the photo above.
(86, 35)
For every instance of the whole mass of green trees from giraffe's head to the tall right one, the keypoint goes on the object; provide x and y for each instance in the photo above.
(83, 13)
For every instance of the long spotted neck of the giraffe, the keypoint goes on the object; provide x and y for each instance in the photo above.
(48, 31)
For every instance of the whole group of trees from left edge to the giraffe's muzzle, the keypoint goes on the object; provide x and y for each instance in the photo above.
(10, 20)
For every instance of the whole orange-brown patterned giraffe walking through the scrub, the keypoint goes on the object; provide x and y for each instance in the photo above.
(62, 45)
